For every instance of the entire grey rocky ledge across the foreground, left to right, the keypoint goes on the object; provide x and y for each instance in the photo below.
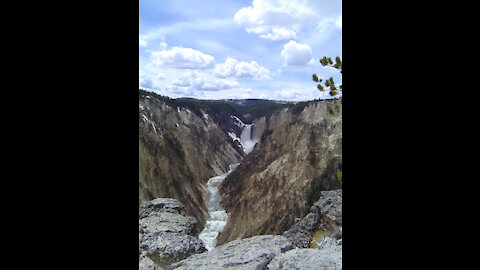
(168, 241)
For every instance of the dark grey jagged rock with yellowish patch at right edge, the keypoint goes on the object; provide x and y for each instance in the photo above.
(322, 227)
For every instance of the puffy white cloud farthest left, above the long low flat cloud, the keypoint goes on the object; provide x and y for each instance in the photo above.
(185, 58)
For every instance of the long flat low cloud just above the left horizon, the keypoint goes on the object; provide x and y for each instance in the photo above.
(203, 81)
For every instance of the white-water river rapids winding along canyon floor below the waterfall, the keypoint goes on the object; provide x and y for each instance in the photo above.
(218, 215)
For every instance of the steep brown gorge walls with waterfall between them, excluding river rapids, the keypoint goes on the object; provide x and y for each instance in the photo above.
(287, 154)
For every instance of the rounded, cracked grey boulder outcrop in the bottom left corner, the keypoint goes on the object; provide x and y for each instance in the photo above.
(166, 234)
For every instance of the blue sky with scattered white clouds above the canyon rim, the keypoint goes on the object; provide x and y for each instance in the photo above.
(265, 49)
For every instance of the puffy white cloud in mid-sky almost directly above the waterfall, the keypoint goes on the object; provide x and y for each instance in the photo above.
(234, 68)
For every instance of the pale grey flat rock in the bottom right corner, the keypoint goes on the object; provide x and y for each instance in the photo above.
(306, 258)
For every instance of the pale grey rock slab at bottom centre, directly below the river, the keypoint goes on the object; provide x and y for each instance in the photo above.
(250, 253)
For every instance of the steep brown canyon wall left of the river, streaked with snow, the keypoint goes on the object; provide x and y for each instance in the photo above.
(179, 150)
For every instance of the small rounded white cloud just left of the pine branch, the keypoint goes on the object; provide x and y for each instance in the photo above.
(296, 54)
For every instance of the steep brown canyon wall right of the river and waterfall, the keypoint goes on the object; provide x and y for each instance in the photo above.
(298, 154)
